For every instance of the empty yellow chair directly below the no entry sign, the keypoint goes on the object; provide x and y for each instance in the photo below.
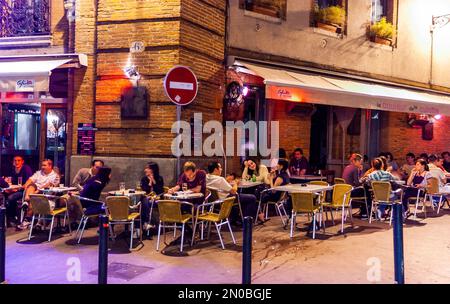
(170, 213)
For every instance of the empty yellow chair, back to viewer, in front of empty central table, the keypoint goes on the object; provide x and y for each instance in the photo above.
(304, 203)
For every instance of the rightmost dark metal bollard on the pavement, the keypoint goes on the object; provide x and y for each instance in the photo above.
(399, 264)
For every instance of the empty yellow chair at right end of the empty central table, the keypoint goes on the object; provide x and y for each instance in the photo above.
(340, 201)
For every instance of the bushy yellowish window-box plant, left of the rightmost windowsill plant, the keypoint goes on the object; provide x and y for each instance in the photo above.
(331, 18)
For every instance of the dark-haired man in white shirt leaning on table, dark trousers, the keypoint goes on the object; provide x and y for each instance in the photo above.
(215, 180)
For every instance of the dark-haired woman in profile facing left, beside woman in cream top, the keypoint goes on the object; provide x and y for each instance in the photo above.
(278, 177)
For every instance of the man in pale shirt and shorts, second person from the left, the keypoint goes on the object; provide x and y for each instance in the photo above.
(44, 178)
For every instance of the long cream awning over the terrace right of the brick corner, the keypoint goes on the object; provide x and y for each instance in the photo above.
(284, 83)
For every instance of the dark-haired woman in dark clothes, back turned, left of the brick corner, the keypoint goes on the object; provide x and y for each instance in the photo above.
(93, 189)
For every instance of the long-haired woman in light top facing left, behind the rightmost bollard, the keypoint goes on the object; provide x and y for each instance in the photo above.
(417, 179)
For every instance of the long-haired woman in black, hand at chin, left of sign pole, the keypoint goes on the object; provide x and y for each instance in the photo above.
(153, 184)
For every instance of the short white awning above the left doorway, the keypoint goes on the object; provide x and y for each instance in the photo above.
(32, 73)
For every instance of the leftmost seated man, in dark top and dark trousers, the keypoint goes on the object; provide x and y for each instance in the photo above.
(20, 172)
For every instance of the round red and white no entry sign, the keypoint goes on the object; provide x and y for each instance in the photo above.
(181, 85)
